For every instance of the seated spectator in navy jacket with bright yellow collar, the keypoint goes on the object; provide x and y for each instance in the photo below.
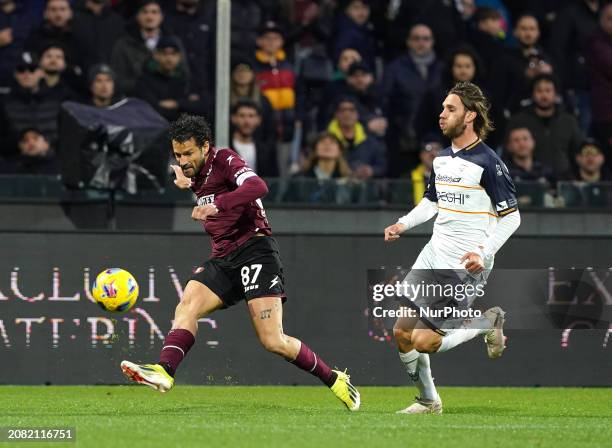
(365, 153)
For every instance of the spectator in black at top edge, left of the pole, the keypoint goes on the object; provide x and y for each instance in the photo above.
(95, 29)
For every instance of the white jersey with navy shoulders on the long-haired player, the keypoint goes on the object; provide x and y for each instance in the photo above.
(472, 188)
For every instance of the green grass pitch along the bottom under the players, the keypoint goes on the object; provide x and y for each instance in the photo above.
(237, 416)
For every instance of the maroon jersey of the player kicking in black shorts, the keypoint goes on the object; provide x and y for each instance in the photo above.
(228, 182)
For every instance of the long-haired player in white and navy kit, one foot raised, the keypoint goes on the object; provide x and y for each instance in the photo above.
(474, 198)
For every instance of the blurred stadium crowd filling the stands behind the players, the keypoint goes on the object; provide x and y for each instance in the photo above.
(322, 89)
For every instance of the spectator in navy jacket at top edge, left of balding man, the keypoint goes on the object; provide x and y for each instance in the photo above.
(354, 30)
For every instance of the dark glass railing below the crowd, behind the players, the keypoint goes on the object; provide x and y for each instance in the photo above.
(397, 193)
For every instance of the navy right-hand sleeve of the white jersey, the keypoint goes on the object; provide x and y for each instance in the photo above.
(498, 184)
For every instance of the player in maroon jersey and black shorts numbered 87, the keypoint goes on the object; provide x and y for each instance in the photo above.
(245, 263)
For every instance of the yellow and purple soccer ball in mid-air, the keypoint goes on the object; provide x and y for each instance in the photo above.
(115, 289)
